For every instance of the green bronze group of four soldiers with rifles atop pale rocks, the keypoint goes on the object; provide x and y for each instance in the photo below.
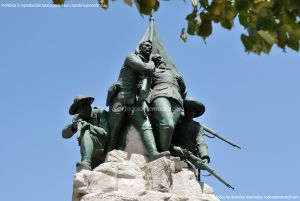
(152, 96)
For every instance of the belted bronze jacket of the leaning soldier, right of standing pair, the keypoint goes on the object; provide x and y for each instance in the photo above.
(167, 83)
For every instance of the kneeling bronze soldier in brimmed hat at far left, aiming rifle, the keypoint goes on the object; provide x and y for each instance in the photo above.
(91, 127)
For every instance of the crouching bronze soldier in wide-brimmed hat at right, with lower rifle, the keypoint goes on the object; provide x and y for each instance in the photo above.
(188, 140)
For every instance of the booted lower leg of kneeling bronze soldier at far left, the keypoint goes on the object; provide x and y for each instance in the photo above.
(86, 150)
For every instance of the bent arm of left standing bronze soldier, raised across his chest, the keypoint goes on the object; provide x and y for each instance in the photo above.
(135, 62)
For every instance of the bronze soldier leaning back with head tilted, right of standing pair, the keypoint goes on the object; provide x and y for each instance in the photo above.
(168, 91)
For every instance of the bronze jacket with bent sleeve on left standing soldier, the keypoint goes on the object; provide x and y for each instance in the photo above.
(129, 78)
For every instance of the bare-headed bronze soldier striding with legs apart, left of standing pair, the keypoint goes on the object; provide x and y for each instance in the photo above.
(123, 102)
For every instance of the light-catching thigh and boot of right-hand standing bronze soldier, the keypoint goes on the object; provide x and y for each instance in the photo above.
(163, 114)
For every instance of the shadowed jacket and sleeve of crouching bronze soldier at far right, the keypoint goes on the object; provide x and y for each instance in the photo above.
(189, 135)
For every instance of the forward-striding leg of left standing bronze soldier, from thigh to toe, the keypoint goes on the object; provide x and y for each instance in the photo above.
(143, 125)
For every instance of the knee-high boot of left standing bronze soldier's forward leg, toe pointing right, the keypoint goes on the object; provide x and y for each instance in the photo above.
(150, 145)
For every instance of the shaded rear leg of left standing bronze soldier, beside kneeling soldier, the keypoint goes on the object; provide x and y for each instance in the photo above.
(115, 119)
